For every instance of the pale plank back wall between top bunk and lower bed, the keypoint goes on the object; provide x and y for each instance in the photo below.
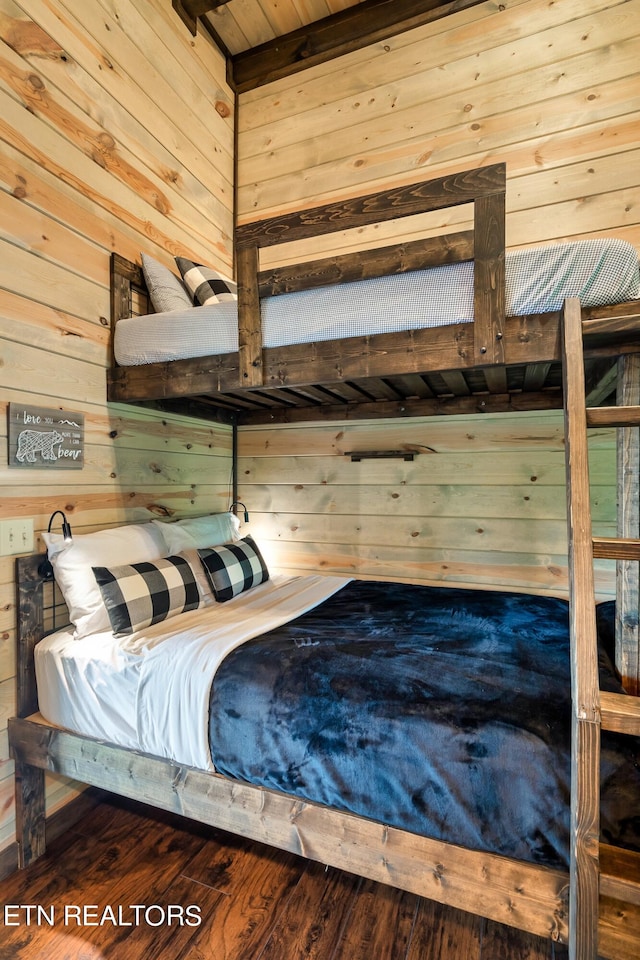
(482, 503)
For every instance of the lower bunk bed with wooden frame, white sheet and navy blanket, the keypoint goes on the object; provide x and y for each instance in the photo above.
(415, 736)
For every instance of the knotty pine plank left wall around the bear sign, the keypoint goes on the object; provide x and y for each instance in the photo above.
(103, 147)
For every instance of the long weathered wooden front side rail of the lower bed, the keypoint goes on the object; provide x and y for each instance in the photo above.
(523, 895)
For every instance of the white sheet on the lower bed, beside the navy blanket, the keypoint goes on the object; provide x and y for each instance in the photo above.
(150, 691)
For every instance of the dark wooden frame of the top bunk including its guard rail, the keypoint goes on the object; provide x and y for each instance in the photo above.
(495, 364)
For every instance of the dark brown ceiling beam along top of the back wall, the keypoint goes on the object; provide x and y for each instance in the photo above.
(351, 29)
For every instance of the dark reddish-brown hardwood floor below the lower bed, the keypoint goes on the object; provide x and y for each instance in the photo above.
(129, 883)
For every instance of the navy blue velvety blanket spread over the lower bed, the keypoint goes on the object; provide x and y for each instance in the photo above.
(444, 712)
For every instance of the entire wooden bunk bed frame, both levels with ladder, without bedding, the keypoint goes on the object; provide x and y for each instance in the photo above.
(496, 362)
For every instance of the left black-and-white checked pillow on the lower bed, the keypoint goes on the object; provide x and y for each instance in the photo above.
(139, 594)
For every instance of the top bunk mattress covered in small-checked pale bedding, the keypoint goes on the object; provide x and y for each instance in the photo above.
(538, 280)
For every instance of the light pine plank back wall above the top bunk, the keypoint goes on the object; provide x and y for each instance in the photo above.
(551, 89)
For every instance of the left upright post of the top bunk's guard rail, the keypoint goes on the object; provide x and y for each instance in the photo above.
(249, 320)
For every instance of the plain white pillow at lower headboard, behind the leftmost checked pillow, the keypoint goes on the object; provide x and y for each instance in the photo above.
(72, 565)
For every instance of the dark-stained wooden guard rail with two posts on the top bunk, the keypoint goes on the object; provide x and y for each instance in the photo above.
(484, 187)
